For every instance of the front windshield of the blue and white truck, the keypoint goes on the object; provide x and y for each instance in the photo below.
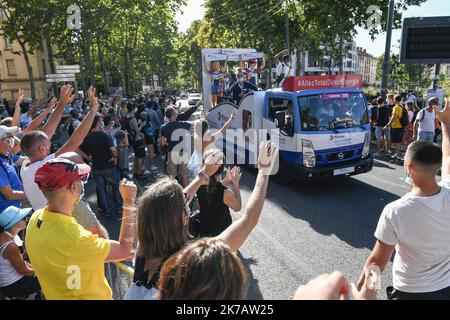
(333, 111)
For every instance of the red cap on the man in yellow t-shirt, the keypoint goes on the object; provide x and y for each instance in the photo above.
(58, 173)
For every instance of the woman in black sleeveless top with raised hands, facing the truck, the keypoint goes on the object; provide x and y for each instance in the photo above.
(215, 200)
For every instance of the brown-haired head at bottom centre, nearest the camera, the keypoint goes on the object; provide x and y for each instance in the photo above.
(203, 270)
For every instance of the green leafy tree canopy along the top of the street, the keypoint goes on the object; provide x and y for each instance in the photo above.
(130, 40)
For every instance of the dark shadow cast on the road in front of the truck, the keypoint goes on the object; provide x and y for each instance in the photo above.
(343, 206)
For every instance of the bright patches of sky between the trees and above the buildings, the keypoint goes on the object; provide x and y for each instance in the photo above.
(194, 11)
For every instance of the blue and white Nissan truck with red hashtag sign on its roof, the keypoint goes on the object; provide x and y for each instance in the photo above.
(320, 124)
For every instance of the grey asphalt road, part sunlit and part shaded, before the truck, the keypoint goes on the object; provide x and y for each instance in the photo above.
(310, 228)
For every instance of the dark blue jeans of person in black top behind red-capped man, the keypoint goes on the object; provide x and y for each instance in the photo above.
(111, 177)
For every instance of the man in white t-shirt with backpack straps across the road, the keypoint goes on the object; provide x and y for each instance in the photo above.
(425, 122)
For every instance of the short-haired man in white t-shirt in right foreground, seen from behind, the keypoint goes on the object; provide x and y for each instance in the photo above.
(417, 226)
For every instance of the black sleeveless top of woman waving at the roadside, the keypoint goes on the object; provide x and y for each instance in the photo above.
(214, 214)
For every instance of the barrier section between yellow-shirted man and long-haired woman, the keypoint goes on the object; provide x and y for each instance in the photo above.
(120, 278)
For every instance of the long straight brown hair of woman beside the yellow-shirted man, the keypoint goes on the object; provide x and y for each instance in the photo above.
(160, 226)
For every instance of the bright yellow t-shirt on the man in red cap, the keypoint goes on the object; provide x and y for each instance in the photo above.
(67, 259)
